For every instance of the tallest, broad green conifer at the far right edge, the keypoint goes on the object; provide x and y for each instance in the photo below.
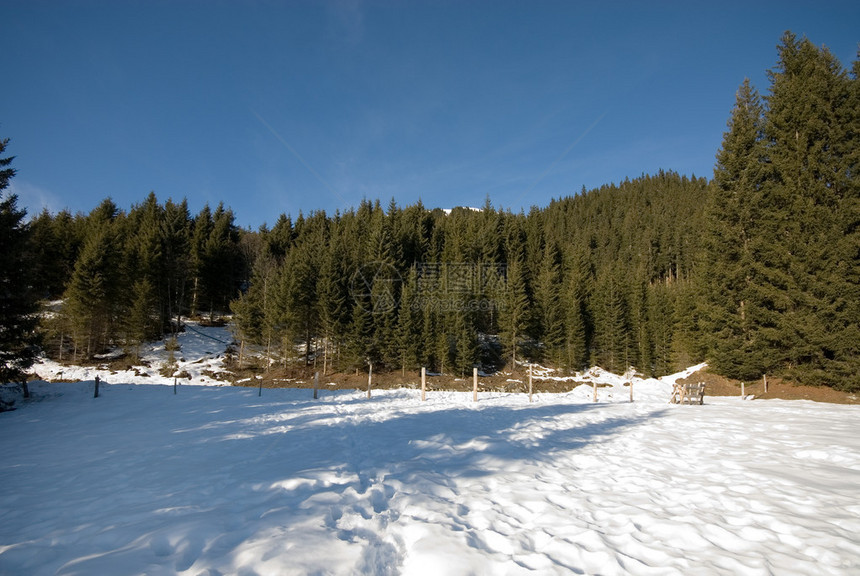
(811, 134)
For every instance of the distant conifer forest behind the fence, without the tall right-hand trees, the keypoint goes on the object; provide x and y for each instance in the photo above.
(447, 291)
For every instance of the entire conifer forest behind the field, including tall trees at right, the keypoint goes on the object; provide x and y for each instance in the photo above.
(756, 271)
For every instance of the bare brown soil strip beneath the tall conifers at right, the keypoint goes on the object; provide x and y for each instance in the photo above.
(716, 385)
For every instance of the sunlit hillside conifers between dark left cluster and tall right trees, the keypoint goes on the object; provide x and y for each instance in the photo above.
(598, 278)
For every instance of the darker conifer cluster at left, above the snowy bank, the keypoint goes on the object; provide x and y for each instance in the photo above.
(125, 278)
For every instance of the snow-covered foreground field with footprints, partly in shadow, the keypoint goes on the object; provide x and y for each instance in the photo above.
(217, 481)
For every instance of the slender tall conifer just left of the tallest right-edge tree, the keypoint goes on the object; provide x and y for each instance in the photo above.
(733, 277)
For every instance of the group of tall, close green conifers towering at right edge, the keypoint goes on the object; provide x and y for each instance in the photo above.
(780, 271)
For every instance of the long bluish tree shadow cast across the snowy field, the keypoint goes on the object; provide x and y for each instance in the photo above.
(224, 474)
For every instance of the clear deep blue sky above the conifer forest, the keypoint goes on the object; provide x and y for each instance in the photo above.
(281, 107)
